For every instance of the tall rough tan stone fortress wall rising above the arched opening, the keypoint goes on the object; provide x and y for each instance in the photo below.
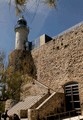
(61, 60)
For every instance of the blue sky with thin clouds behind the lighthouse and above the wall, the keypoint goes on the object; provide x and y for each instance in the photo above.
(40, 18)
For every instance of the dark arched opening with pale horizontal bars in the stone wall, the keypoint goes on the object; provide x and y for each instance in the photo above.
(72, 97)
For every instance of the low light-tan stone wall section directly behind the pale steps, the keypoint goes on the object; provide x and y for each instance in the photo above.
(33, 89)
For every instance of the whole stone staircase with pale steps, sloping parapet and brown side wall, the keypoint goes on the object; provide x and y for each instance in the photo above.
(37, 107)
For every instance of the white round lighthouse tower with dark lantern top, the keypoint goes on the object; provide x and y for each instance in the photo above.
(22, 32)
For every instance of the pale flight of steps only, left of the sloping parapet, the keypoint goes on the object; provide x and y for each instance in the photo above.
(31, 101)
